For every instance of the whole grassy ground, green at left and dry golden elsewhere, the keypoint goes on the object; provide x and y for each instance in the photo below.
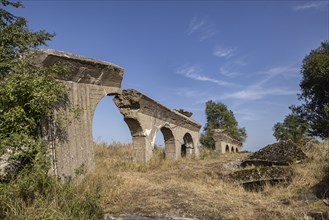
(188, 187)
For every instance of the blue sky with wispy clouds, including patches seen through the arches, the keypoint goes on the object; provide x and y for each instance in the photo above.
(246, 54)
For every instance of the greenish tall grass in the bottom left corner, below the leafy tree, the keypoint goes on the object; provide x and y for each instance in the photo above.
(36, 195)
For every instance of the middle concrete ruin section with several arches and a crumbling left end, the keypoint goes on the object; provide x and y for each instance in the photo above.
(145, 117)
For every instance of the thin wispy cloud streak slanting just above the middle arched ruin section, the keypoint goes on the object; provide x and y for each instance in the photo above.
(195, 73)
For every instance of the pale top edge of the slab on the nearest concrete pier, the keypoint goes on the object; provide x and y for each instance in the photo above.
(75, 57)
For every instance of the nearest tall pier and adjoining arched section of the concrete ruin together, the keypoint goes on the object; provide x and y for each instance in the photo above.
(88, 82)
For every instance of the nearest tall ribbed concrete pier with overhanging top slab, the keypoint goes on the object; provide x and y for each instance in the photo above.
(89, 81)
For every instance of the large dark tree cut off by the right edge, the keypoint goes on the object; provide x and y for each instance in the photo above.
(315, 91)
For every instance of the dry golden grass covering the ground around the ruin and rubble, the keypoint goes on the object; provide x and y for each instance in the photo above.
(198, 188)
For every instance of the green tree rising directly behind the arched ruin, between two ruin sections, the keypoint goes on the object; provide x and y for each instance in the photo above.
(218, 116)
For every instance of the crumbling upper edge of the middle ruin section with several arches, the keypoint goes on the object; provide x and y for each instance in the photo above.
(138, 97)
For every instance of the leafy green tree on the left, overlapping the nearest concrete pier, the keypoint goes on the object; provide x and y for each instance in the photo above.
(28, 94)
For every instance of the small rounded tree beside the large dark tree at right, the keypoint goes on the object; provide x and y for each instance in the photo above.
(292, 128)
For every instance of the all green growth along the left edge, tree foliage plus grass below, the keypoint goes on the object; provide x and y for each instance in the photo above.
(32, 103)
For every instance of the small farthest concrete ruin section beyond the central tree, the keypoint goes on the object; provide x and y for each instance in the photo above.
(224, 143)
